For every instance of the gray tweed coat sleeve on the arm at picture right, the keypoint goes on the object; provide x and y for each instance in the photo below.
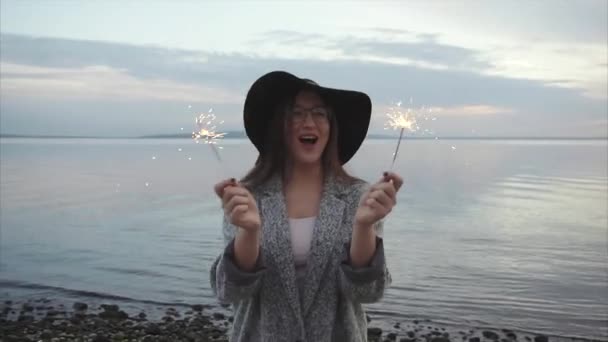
(364, 284)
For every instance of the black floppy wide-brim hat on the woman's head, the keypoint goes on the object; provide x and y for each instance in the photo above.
(352, 110)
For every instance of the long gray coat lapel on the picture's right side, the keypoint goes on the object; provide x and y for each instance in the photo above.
(326, 232)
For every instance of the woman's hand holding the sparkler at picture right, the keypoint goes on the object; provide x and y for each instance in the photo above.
(379, 200)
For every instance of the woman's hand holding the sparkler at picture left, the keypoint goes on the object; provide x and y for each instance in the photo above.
(239, 205)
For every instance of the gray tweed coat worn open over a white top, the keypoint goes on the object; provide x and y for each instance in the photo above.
(267, 303)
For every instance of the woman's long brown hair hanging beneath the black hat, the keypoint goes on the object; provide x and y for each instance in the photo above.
(274, 158)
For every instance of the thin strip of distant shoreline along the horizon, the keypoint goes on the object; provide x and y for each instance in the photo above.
(241, 135)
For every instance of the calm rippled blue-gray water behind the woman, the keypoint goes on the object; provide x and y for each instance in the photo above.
(509, 234)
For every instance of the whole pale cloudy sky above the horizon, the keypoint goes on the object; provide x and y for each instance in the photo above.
(131, 68)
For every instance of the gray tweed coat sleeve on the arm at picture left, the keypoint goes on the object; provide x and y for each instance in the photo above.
(229, 283)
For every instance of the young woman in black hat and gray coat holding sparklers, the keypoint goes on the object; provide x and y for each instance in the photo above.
(303, 238)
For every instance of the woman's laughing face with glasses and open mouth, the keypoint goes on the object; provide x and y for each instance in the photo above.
(308, 126)
